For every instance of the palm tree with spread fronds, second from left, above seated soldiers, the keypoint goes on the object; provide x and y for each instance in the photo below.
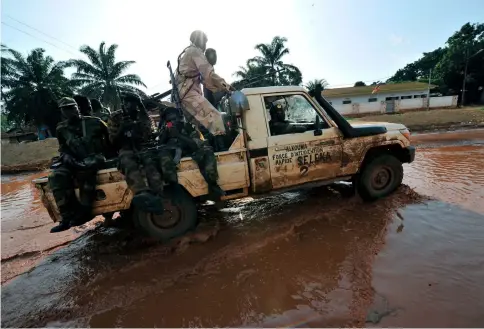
(102, 77)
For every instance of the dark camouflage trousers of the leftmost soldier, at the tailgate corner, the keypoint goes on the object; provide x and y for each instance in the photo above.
(61, 182)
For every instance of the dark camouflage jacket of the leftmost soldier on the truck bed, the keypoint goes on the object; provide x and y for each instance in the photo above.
(85, 138)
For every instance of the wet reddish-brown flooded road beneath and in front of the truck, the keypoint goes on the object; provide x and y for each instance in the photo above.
(307, 258)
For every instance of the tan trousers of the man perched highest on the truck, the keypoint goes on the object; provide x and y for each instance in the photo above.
(202, 112)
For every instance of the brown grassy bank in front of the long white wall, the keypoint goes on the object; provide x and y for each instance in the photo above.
(419, 121)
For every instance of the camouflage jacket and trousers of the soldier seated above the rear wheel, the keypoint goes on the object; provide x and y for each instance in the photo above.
(131, 153)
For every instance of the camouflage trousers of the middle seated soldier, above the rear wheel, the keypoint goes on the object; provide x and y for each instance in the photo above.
(130, 165)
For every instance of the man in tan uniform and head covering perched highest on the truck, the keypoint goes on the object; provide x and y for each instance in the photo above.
(193, 69)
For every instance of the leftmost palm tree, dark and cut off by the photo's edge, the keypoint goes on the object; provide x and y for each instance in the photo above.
(33, 85)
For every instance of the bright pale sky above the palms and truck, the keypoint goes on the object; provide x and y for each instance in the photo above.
(341, 41)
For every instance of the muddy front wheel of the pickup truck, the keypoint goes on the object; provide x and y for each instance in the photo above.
(379, 177)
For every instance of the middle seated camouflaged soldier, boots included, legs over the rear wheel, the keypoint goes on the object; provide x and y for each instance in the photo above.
(131, 130)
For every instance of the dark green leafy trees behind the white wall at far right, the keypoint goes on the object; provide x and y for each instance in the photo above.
(448, 64)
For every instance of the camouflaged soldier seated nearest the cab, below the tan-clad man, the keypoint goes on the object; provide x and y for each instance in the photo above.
(183, 139)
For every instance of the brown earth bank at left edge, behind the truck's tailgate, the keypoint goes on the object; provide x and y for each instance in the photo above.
(28, 156)
